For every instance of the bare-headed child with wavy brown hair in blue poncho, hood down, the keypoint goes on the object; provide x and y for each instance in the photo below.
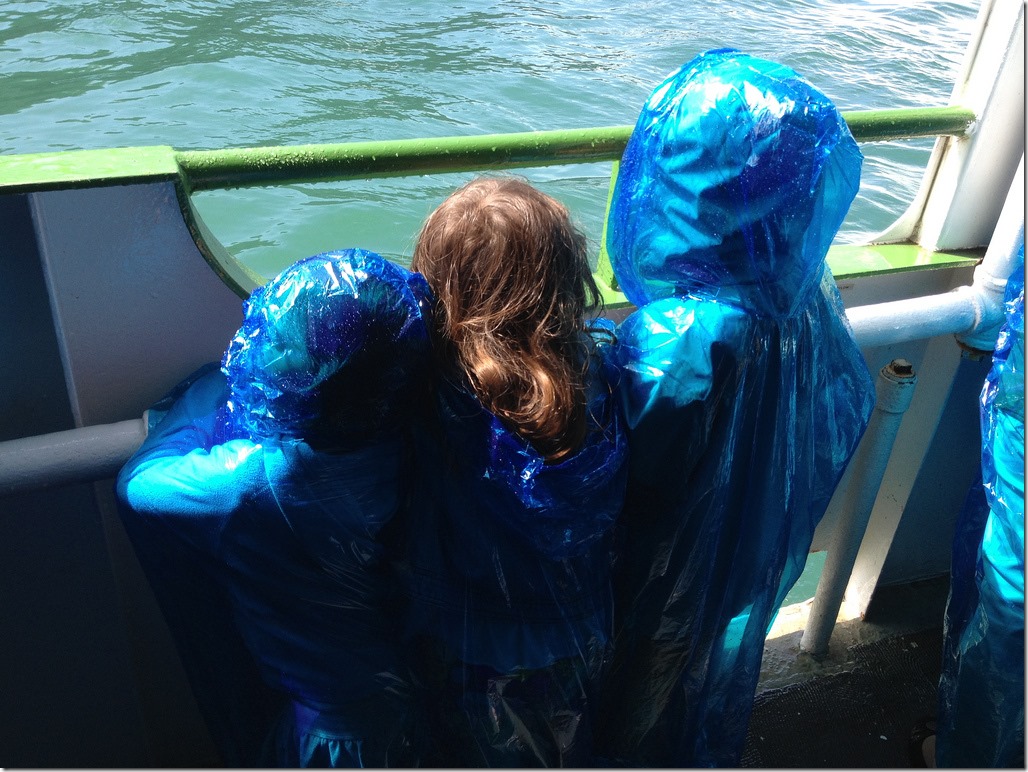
(522, 470)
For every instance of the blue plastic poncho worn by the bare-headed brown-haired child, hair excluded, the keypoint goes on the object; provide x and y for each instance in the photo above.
(508, 574)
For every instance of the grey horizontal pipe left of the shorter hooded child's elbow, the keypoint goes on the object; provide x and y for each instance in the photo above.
(64, 458)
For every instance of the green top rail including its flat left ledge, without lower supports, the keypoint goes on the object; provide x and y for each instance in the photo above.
(208, 170)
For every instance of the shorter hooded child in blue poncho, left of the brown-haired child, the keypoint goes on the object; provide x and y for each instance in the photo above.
(263, 508)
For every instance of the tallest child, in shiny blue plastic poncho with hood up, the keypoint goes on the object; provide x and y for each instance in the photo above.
(745, 392)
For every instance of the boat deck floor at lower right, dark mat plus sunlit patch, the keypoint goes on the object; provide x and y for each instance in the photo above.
(856, 708)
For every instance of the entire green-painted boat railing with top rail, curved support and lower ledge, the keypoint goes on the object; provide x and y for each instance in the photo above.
(198, 171)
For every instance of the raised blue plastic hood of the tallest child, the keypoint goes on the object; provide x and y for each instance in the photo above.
(737, 178)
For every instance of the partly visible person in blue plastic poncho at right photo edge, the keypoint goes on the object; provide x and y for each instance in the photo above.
(981, 695)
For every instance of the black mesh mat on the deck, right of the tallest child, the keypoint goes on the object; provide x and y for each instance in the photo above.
(858, 719)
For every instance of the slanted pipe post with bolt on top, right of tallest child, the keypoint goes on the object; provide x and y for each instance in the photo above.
(895, 390)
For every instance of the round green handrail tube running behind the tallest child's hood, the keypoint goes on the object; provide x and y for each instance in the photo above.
(207, 170)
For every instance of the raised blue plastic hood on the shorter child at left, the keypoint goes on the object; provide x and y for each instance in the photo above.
(346, 326)
